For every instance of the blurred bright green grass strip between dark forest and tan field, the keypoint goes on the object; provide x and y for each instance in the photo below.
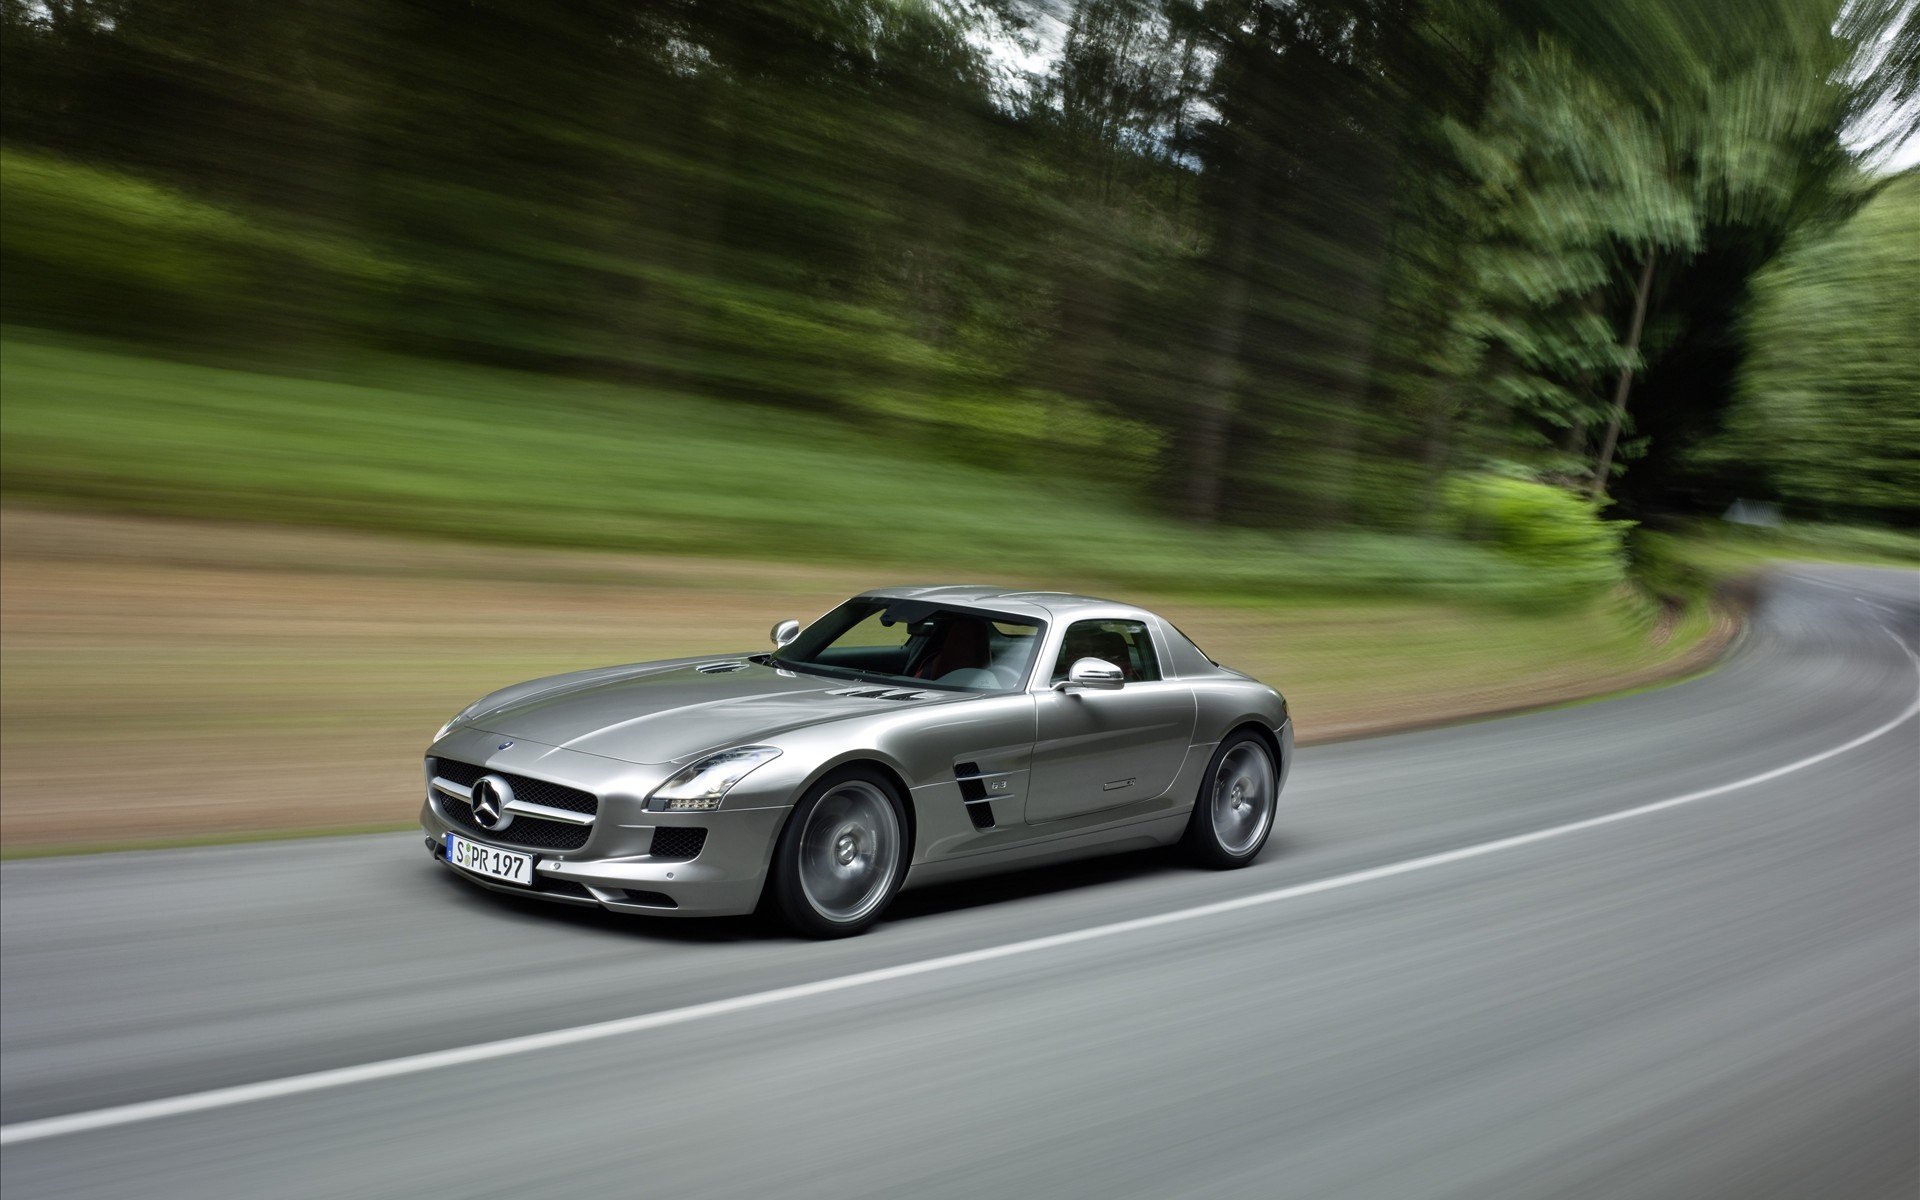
(494, 456)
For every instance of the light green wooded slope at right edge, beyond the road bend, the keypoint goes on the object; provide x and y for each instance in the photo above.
(1829, 414)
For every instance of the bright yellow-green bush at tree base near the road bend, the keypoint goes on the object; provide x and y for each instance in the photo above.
(1543, 527)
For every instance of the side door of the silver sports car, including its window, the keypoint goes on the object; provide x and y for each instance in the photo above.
(1103, 750)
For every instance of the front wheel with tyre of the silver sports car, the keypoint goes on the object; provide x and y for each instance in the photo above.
(840, 857)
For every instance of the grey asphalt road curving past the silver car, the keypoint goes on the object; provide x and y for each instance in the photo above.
(1445, 980)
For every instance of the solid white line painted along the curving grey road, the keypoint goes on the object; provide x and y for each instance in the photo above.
(414, 1065)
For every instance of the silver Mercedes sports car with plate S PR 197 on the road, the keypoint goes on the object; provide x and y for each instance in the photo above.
(909, 736)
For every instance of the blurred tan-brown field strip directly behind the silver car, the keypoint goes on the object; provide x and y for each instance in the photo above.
(187, 681)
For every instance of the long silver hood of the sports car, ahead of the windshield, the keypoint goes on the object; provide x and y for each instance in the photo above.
(671, 711)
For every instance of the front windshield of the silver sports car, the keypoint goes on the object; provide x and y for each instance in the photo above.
(913, 642)
